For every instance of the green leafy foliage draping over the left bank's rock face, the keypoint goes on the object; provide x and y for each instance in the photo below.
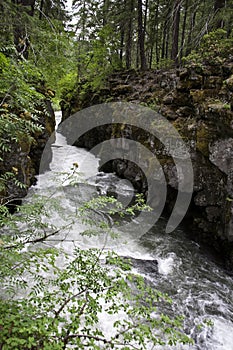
(21, 106)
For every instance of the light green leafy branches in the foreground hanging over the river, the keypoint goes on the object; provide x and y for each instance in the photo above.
(61, 307)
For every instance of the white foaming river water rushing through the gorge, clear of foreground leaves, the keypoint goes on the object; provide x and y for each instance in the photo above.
(200, 289)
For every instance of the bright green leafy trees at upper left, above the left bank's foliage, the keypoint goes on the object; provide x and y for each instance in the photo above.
(40, 37)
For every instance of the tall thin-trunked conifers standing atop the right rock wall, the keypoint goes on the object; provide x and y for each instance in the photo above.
(166, 26)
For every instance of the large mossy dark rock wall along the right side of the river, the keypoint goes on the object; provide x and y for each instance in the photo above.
(198, 102)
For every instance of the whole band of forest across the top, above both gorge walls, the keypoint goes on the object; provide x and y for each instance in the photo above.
(97, 37)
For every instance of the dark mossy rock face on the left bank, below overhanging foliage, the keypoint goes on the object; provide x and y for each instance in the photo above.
(23, 160)
